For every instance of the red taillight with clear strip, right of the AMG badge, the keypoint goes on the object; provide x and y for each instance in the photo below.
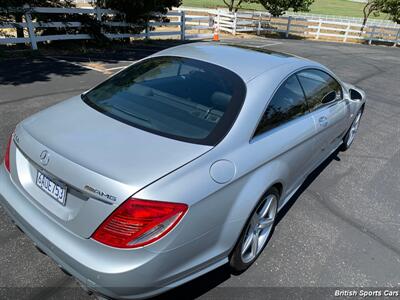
(138, 222)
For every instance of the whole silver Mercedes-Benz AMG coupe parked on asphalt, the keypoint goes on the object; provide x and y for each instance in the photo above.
(174, 166)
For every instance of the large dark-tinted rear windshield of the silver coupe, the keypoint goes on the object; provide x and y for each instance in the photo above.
(176, 97)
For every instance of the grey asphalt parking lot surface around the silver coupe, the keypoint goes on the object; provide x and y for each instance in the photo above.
(342, 229)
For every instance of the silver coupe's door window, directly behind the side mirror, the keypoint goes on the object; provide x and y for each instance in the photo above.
(320, 88)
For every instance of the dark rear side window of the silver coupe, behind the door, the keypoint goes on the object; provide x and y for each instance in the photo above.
(287, 104)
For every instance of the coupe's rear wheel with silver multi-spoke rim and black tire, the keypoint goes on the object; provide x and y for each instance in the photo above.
(256, 233)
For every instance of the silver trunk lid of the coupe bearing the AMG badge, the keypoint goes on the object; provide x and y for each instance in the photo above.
(101, 161)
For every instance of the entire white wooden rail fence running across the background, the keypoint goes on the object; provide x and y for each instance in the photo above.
(185, 24)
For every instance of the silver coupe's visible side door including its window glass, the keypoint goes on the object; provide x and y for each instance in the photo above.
(328, 108)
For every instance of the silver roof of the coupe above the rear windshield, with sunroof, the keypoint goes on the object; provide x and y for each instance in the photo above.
(245, 61)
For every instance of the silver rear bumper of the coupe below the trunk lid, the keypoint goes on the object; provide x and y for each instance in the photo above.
(124, 274)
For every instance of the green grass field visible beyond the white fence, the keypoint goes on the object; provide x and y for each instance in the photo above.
(324, 7)
